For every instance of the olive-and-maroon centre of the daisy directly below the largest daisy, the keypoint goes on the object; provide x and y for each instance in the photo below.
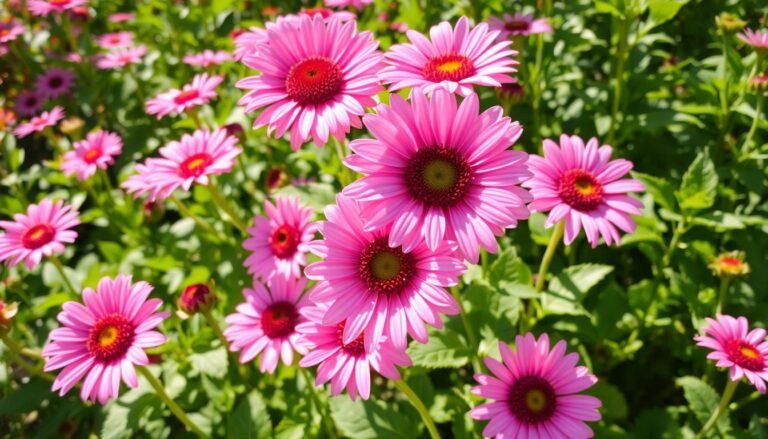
(386, 270)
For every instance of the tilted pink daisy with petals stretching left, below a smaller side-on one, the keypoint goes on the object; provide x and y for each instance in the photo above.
(191, 160)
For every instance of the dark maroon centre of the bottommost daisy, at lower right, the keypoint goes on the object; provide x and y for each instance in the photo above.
(532, 400)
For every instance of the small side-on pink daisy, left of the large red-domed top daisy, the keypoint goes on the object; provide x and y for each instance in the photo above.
(199, 92)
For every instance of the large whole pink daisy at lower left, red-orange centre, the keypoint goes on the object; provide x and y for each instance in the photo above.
(104, 339)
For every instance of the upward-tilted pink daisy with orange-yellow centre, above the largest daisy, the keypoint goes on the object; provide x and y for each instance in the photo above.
(456, 59)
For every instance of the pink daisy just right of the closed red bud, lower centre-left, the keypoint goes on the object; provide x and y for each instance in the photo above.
(266, 323)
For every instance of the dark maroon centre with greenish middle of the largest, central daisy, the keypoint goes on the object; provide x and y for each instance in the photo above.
(438, 176)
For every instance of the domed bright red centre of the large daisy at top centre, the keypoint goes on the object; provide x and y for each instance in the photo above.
(314, 80)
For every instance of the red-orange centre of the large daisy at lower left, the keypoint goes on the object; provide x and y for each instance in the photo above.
(110, 338)
